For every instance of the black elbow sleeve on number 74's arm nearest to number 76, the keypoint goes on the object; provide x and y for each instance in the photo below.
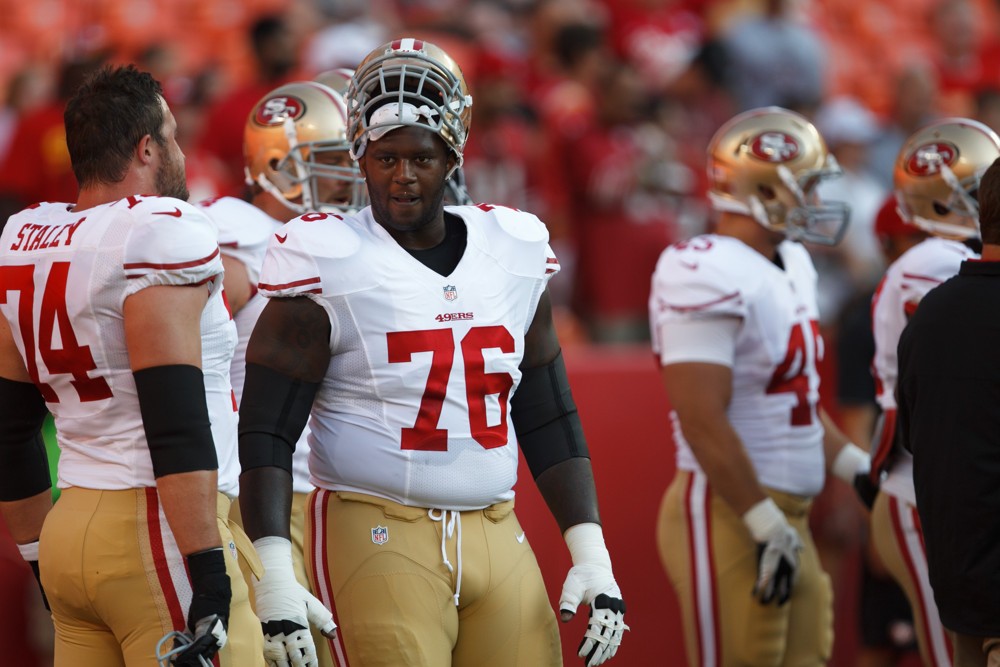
(175, 418)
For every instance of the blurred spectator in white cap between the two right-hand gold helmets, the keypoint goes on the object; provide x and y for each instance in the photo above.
(855, 264)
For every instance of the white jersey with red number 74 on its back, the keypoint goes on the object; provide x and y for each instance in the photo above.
(64, 278)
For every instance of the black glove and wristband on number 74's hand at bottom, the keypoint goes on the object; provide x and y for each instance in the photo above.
(208, 616)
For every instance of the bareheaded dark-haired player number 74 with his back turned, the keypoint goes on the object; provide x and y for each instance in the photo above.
(114, 320)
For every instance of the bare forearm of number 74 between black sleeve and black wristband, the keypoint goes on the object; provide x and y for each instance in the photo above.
(189, 502)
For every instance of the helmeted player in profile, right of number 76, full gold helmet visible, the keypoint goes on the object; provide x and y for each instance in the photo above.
(735, 327)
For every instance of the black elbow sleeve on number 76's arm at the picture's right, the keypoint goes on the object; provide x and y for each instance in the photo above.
(545, 418)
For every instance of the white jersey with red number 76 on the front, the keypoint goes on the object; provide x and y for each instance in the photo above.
(415, 405)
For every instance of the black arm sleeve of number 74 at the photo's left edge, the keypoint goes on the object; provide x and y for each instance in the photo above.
(24, 467)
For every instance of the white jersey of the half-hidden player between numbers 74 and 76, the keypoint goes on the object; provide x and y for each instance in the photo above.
(244, 232)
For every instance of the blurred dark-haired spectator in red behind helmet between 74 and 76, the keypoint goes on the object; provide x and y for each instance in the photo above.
(276, 54)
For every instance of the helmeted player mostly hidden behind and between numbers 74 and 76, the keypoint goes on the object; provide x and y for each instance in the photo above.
(297, 160)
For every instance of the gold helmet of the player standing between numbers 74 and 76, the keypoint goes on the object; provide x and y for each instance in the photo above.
(295, 147)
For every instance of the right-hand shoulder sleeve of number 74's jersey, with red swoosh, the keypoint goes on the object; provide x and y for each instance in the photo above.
(170, 243)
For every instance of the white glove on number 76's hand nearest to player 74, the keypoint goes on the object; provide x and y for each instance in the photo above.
(286, 609)
